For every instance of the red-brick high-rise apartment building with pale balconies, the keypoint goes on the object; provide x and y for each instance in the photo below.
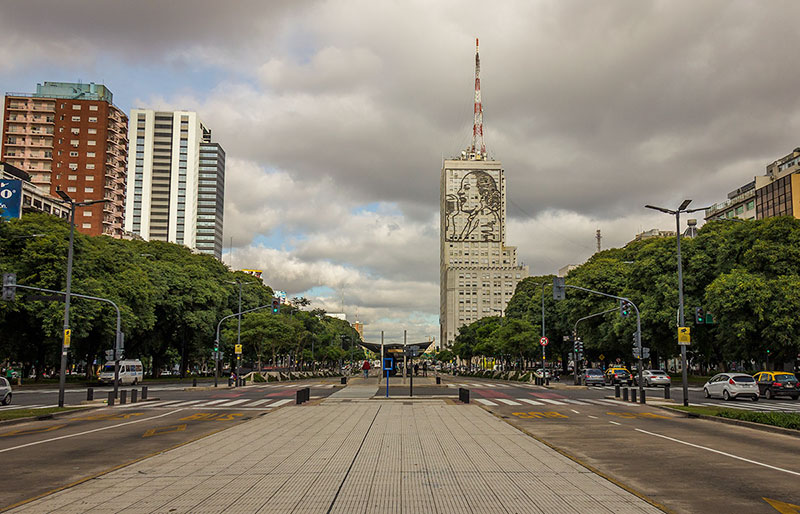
(71, 136)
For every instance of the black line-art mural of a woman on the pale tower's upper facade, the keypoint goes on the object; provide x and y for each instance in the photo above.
(473, 206)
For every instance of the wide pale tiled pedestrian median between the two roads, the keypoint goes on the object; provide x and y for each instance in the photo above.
(370, 456)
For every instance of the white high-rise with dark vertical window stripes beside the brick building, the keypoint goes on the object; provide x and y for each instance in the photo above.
(166, 190)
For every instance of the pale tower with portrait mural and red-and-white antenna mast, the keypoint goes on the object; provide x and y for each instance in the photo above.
(478, 272)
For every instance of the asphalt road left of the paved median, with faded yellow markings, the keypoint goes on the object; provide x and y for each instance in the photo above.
(41, 456)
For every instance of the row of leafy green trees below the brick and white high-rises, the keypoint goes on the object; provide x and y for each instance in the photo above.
(170, 299)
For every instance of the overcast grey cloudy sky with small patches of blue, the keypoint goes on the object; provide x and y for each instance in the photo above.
(336, 115)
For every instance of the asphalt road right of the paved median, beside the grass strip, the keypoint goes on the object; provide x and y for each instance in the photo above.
(687, 465)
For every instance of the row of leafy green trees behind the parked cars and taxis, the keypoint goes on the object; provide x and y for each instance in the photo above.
(746, 273)
